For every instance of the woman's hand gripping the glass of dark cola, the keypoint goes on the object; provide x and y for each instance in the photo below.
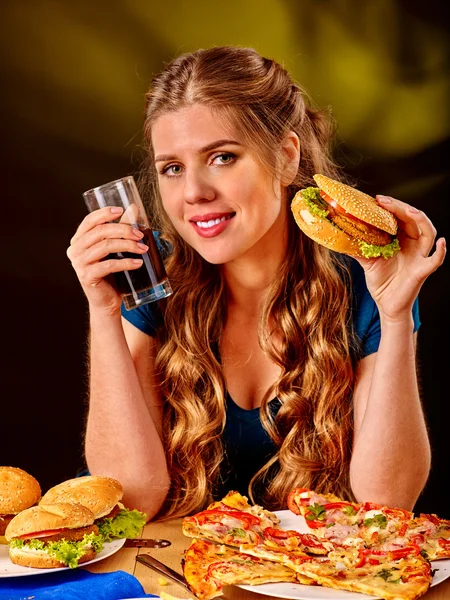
(94, 240)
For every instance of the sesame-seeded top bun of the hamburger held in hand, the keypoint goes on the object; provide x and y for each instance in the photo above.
(358, 204)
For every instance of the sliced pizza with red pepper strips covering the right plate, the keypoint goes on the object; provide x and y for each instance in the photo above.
(364, 548)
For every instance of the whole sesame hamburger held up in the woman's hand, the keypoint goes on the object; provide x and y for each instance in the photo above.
(345, 220)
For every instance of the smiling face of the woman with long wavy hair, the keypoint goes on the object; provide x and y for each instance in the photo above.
(219, 197)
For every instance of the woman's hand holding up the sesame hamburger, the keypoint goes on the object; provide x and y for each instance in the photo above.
(394, 283)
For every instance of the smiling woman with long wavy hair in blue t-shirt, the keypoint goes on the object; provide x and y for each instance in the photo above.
(275, 363)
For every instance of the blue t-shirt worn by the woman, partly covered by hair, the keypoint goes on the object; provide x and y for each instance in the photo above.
(247, 445)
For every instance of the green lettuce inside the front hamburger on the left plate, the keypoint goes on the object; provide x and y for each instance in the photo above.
(68, 552)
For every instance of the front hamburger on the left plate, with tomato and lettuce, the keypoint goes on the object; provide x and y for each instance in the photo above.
(53, 536)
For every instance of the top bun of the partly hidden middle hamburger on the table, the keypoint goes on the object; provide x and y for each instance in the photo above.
(97, 493)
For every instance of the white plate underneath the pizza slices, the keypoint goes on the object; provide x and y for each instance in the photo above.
(298, 591)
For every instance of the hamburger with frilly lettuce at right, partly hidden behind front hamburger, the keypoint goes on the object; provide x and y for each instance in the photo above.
(102, 496)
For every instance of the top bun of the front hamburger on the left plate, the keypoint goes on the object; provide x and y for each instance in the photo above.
(47, 518)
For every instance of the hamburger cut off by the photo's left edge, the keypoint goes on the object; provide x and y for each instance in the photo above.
(18, 490)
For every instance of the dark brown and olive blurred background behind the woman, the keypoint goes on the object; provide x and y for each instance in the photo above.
(74, 75)
